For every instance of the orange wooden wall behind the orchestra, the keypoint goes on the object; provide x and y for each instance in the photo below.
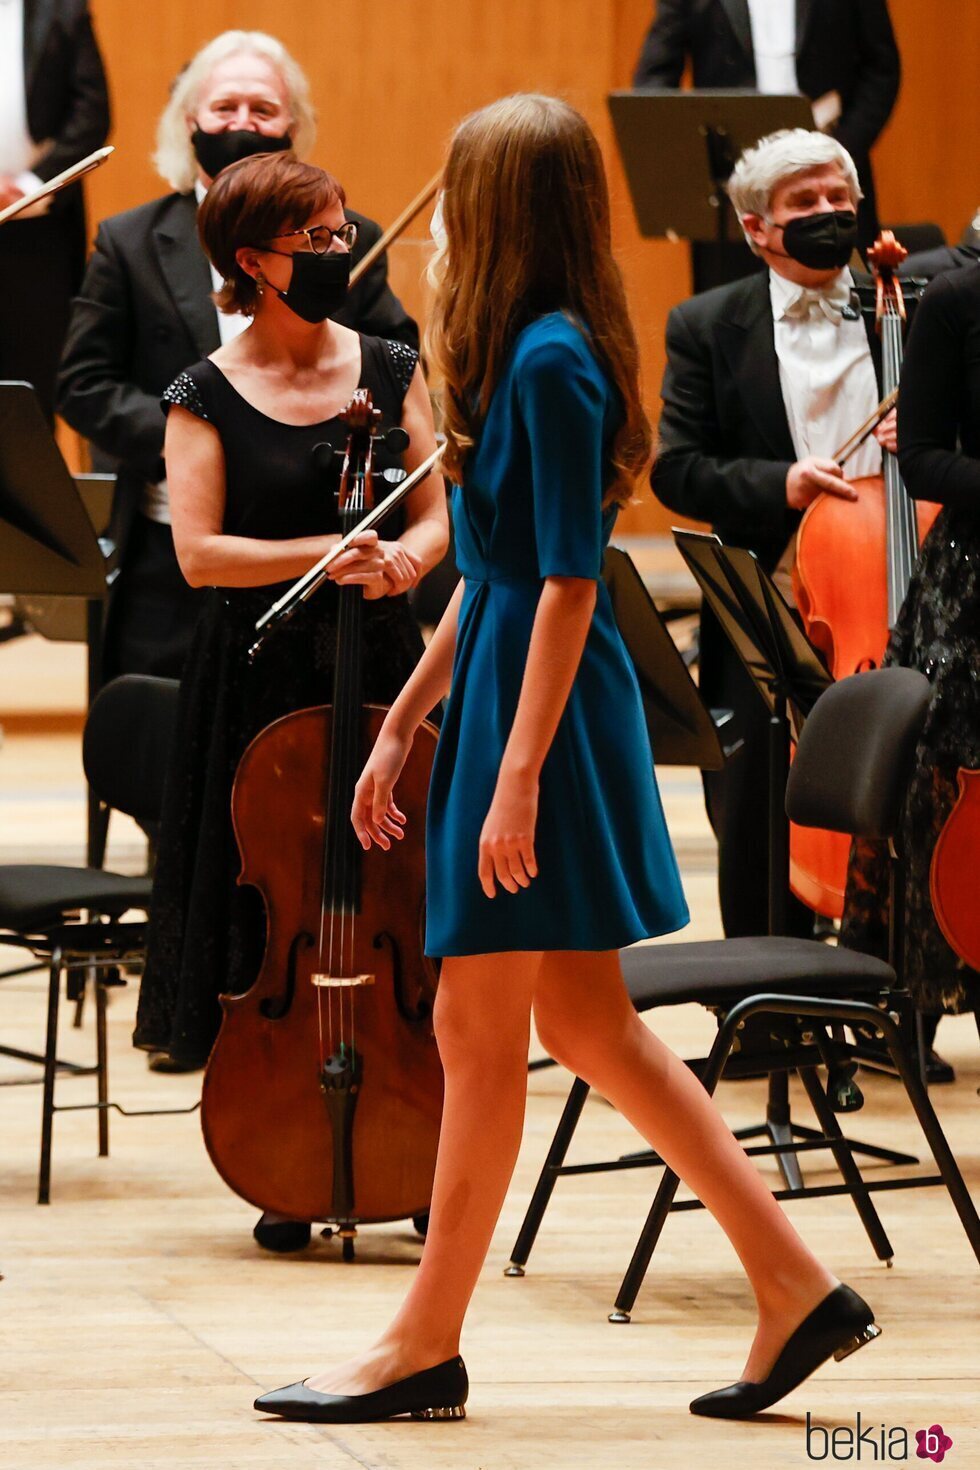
(392, 79)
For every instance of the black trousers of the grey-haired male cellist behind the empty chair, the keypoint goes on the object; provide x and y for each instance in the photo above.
(737, 797)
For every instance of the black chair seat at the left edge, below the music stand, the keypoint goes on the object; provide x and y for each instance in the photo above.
(37, 894)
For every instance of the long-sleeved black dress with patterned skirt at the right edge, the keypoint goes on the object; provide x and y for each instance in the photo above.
(938, 631)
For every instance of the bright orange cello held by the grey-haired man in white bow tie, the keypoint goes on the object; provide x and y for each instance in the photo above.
(851, 574)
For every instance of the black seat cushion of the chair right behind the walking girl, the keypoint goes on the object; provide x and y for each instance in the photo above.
(725, 969)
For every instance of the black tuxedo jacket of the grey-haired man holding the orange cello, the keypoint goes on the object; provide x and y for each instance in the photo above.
(725, 442)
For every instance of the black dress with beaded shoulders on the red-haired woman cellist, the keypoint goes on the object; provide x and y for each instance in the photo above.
(206, 933)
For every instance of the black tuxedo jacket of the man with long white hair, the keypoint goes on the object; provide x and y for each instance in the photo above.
(145, 315)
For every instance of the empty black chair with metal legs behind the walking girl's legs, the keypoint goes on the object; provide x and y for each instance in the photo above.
(782, 1003)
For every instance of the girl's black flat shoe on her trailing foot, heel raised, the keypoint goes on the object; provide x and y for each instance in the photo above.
(840, 1325)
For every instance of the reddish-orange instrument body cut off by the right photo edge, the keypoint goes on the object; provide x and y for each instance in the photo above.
(954, 877)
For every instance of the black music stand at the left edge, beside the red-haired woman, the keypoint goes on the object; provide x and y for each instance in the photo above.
(49, 548)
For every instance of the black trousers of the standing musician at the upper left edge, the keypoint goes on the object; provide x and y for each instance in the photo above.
(39, 271)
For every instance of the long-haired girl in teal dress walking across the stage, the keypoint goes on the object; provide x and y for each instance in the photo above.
(547, 849)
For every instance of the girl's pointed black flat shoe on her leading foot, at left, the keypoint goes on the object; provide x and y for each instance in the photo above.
(437, 1393)
